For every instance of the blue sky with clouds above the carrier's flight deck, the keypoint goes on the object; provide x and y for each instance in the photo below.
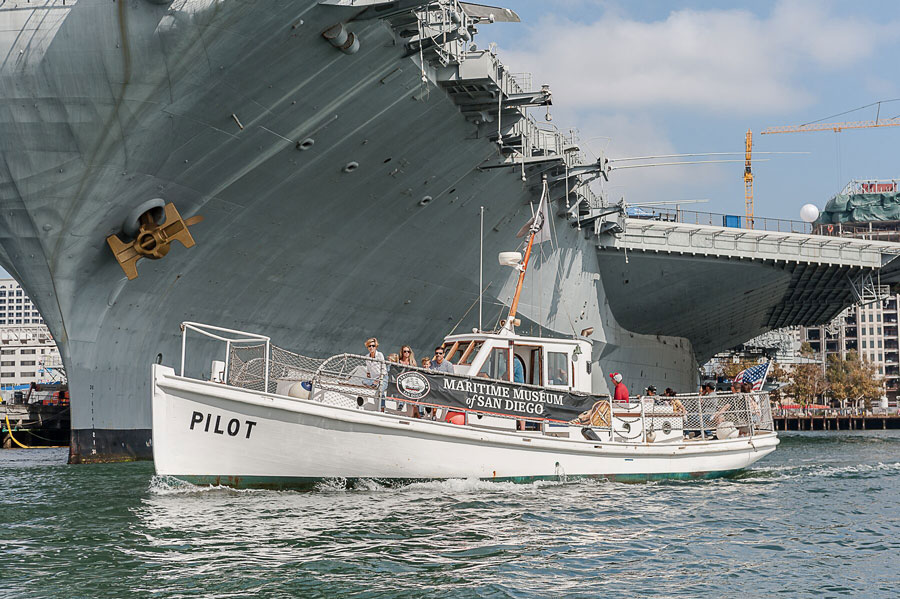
(653, 77)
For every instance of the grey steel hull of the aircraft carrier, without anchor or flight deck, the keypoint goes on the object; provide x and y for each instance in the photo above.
(106, 105)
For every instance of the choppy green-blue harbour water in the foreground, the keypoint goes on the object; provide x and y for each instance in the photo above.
(818, 518)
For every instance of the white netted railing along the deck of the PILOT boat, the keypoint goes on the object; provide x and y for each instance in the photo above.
(359, 382)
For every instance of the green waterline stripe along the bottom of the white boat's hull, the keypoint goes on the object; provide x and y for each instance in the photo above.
(301, 482)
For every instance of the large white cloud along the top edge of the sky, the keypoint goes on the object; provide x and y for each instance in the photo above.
(727, 61)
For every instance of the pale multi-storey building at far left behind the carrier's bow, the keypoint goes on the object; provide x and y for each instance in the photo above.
(27, 350)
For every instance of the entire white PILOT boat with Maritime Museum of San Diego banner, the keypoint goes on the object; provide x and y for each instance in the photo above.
(273, 418)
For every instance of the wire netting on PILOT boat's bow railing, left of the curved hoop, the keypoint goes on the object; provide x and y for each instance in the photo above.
(247, 367)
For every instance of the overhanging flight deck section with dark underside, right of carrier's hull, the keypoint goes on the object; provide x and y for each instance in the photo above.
(762, 280)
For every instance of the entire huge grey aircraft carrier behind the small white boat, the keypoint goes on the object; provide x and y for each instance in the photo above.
(314, 172)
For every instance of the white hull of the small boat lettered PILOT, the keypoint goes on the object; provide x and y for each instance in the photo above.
(297, 442)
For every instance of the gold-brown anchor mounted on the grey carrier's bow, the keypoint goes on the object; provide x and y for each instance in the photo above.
(153, 239)
